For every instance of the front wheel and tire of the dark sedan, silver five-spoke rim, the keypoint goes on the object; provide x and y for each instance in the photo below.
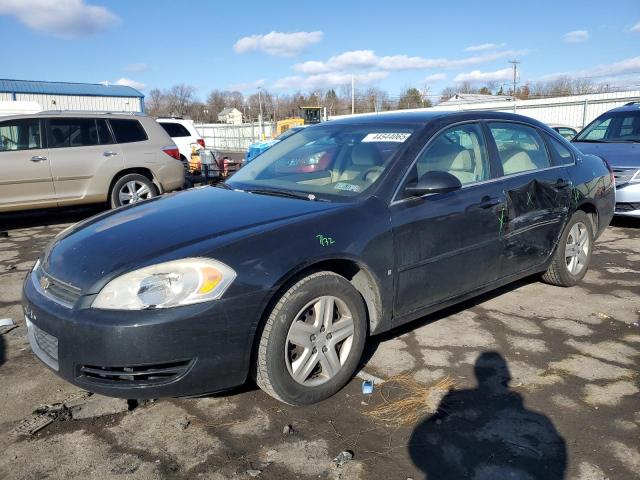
(312, 341)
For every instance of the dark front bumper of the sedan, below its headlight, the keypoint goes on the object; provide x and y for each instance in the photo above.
(174, 352)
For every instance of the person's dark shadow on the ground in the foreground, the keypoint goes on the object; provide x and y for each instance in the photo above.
(487, 433)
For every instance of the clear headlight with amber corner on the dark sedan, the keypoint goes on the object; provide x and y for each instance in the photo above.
(169, 284)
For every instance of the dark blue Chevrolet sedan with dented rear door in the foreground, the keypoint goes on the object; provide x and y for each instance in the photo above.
(412, 213)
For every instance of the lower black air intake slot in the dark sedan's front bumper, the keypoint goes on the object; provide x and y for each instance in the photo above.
(140, 375)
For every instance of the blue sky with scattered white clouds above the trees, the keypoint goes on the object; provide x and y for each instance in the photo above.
(390, 45)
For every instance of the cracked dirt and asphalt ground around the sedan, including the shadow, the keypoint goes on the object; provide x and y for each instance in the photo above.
(541, 383)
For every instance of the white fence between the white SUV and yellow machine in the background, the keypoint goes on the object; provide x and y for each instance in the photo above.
(234, 138)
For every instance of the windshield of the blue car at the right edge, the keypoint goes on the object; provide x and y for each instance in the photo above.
(613, 127)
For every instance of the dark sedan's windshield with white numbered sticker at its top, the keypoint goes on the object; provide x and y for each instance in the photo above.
(325, 162)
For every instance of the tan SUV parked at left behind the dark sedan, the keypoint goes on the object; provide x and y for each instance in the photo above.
(54, 159)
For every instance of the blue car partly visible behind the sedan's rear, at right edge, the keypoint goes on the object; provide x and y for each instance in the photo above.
(615, 137)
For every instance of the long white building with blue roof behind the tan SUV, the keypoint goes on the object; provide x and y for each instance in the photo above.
(73, 96)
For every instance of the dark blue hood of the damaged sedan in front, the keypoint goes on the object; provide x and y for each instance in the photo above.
(162, 229)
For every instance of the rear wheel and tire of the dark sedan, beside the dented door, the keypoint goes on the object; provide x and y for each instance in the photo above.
(573, 253)
